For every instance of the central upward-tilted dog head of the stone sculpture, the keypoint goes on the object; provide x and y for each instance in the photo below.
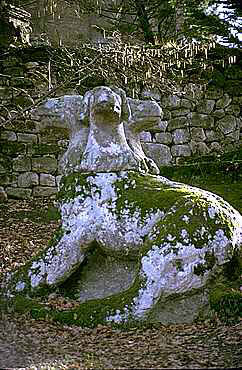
(105, 103)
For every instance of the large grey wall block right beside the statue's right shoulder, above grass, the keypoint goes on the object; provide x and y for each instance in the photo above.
(160, 153)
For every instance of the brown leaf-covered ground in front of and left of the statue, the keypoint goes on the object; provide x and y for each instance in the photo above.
(26, 227)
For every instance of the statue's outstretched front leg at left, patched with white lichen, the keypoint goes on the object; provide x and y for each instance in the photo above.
(51, 267)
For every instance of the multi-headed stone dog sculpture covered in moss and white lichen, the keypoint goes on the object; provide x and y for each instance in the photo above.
(145, 248)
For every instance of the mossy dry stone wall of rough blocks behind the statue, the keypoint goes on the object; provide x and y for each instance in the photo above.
(194, 124)
